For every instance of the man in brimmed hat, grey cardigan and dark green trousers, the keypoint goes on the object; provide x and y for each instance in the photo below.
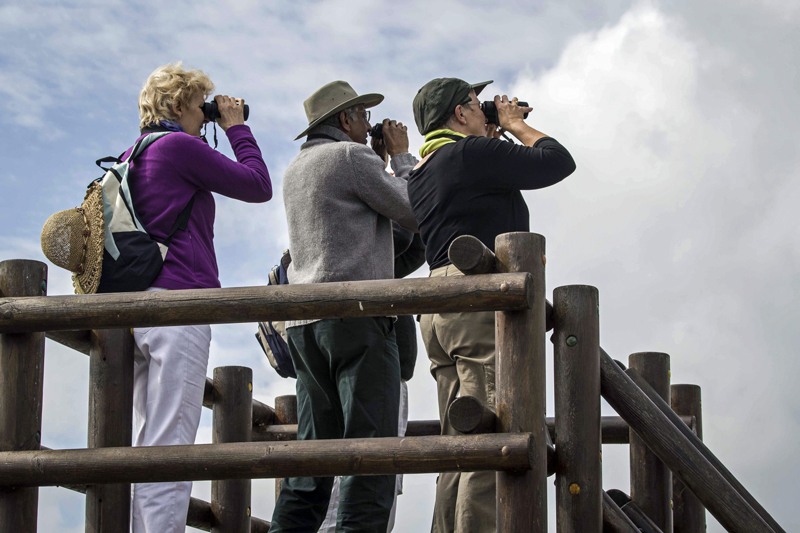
(340, 204)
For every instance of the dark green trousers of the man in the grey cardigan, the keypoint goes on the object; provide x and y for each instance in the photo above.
(348, 386)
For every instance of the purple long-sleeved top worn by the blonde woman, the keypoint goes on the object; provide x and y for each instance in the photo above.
(164, 178)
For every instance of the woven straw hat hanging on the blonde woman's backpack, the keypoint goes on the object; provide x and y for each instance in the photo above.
(74, 240)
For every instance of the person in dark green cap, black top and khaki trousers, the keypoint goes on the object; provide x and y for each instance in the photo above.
(469, 182)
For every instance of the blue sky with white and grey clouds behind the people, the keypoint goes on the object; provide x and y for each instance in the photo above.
(681, 117)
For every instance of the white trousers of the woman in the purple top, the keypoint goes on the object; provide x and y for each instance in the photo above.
(168, 381)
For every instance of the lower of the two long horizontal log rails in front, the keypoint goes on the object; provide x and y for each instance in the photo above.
(256, 460)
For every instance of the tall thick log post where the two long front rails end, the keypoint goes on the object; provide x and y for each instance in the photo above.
(521, 384)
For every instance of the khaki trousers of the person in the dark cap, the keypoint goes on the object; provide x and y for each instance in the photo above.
(461, 349)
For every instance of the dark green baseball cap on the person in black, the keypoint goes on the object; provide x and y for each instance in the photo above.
(438, 98)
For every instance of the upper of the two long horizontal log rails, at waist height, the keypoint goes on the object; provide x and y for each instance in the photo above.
(491, 292)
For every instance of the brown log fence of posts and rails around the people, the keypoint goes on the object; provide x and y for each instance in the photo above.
(674, 476)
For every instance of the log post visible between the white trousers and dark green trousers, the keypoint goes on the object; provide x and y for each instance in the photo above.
(233, 422)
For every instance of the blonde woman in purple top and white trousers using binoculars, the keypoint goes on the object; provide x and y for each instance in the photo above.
(179, 168)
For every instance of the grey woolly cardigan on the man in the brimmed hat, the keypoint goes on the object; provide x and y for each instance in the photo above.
(340, 202)
